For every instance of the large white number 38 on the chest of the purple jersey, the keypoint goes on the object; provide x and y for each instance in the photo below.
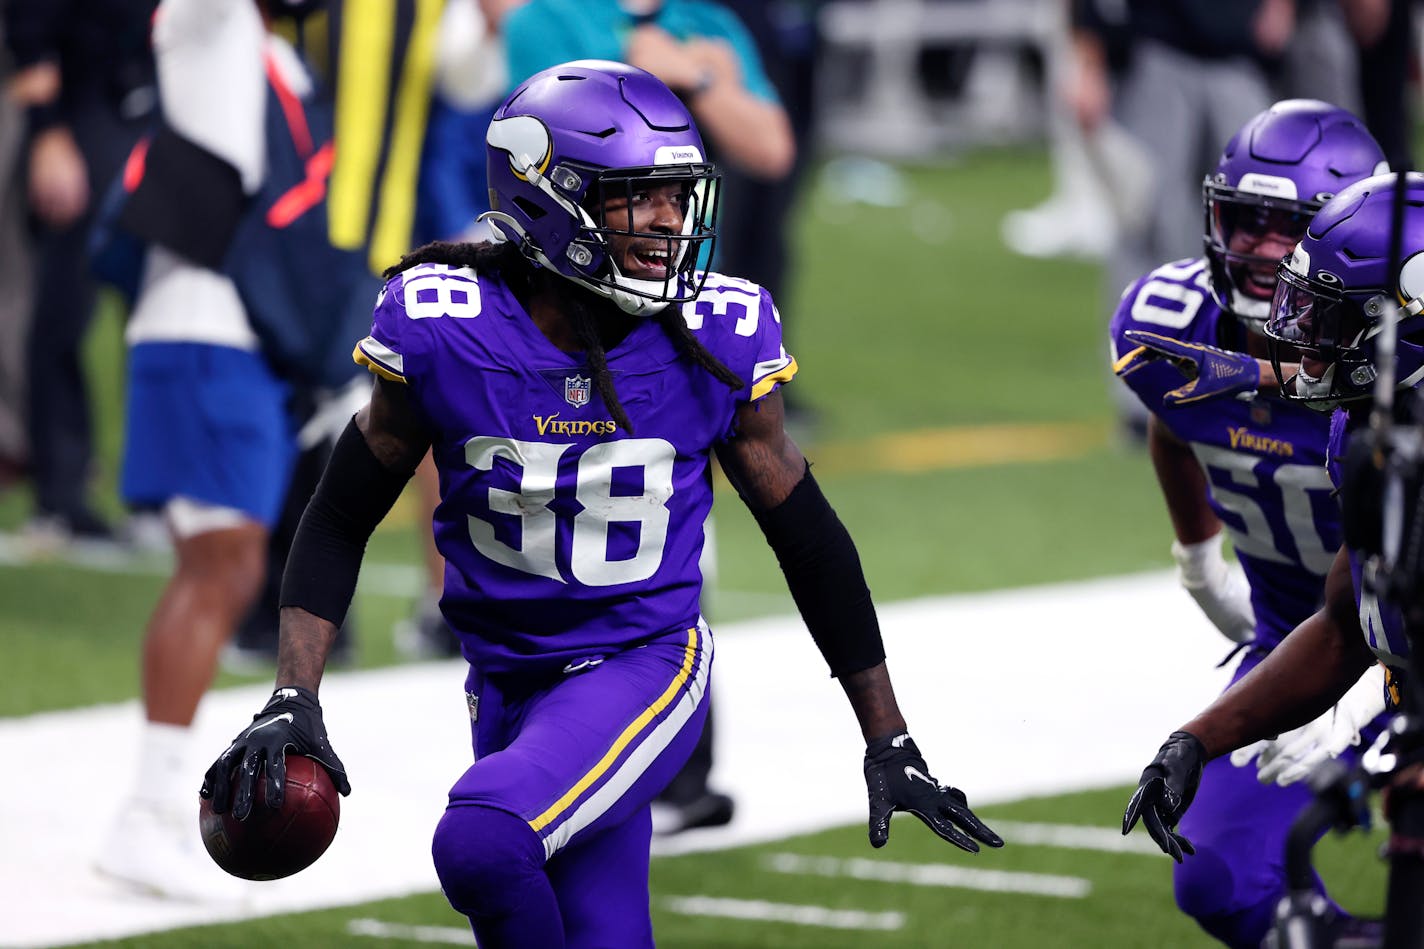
(589, 556)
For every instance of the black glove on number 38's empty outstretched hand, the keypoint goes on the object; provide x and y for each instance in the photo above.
(899, 780)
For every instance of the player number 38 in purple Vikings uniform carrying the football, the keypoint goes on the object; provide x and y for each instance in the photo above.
(575, 383)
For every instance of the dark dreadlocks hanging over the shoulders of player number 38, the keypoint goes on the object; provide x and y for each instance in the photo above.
(523, 277)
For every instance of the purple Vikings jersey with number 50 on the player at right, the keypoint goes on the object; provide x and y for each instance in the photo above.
(1264, 460)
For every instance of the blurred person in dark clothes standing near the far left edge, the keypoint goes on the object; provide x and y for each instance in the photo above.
(88, 75)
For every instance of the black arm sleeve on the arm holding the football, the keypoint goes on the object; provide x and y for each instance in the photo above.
(355, 494)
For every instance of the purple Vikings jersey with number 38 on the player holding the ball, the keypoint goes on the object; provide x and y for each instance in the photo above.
(565, 536)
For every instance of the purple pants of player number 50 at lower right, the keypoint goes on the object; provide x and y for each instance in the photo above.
(1240, 827)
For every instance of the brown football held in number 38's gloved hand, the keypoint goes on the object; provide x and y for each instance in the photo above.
(273, 844)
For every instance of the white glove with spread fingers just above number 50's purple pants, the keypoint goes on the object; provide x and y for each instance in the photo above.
(1291, 757)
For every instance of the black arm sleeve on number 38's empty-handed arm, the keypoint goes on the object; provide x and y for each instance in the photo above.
(825, 578)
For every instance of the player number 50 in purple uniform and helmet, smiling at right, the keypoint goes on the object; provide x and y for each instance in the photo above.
(1251, 468)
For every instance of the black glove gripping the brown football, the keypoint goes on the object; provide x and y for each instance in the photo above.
(291, 720)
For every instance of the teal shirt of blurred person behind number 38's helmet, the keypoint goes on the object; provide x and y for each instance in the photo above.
(545, 33)
